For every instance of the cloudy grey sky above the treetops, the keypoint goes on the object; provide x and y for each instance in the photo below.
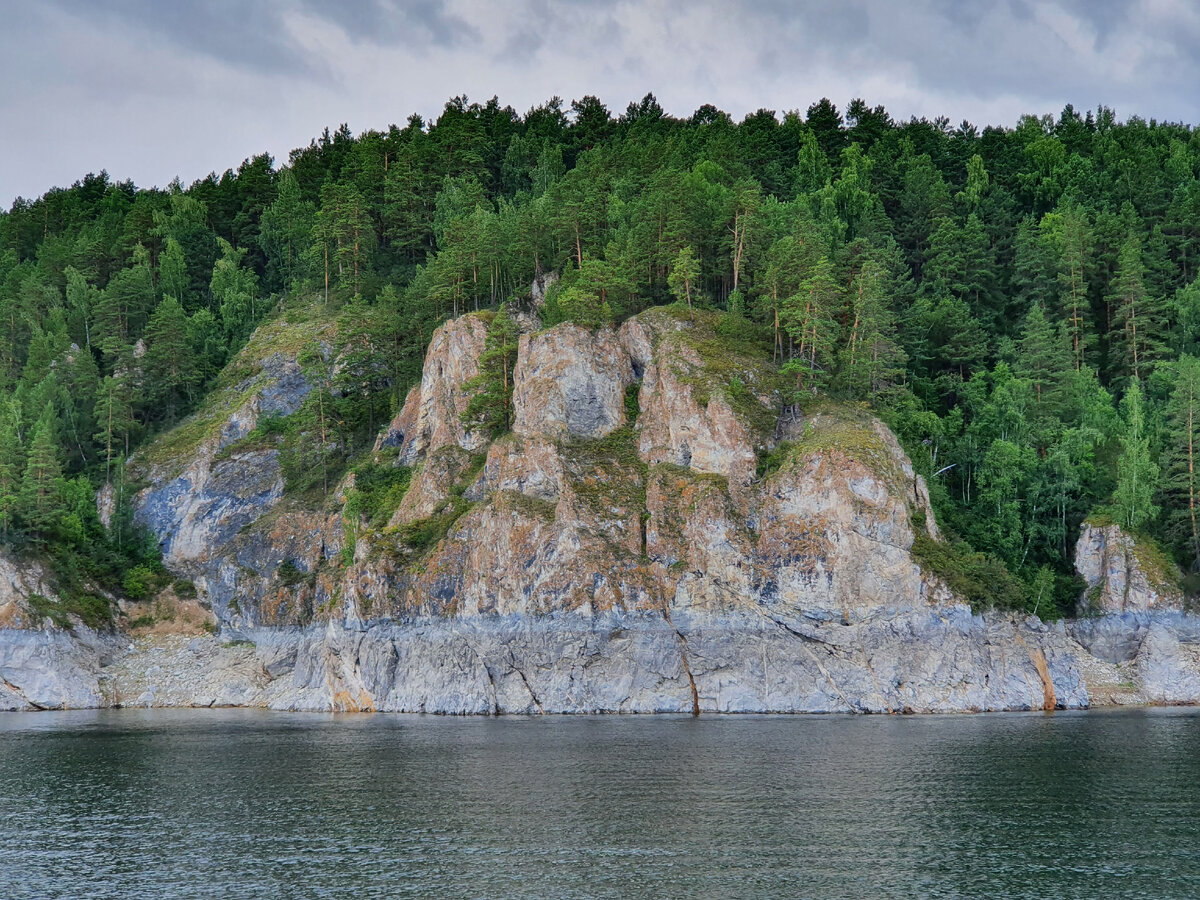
(157, 89)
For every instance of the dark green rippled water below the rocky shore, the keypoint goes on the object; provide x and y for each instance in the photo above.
(251, 805)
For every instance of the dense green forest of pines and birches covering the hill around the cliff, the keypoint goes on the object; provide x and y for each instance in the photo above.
(1022, 305)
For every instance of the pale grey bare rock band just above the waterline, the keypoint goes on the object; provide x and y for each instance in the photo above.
(909, 661)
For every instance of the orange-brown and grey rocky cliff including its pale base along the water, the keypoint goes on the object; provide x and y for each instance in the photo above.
(653, 536)
